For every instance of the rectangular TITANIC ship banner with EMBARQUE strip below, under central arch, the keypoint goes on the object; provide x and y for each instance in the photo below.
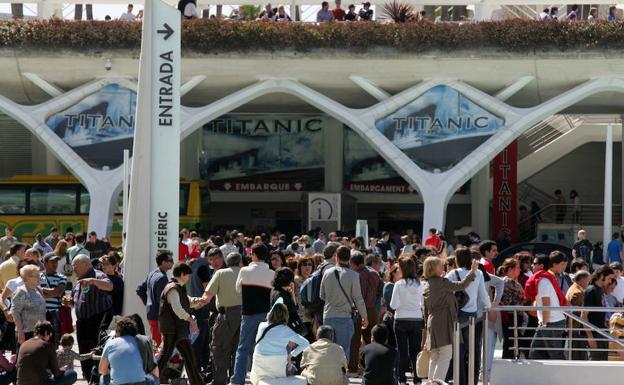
(263, 153)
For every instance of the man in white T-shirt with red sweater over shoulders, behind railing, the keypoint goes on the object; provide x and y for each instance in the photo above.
(551, 325)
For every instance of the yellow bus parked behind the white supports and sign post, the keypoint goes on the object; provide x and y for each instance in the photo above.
(36, 204)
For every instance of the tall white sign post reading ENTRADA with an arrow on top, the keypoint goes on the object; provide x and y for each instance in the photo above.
(153, 209)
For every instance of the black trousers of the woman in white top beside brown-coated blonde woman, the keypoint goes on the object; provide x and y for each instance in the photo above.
(408, 335)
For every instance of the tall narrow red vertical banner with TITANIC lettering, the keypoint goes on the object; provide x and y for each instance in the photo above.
(505, 192)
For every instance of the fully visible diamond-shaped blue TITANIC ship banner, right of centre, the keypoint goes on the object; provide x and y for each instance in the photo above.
(439, 128)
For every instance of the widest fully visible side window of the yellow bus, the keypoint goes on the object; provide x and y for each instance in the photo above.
(53, 200)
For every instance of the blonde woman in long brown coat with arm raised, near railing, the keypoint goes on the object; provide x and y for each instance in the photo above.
(440, 313)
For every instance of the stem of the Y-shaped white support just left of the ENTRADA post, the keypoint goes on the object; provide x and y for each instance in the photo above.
(102, 207)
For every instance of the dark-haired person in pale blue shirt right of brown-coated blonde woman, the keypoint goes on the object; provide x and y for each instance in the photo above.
(478, 300)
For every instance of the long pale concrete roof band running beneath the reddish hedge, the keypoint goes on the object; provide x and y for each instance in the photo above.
(328, 72)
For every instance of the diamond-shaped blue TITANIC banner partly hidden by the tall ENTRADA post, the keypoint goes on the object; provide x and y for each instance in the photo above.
(100, 127)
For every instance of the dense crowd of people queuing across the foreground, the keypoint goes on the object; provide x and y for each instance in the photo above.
(325, 307)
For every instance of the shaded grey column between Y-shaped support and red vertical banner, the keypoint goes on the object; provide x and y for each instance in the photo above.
(480, 202)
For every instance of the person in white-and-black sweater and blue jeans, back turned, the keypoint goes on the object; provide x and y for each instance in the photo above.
(254, 283)
